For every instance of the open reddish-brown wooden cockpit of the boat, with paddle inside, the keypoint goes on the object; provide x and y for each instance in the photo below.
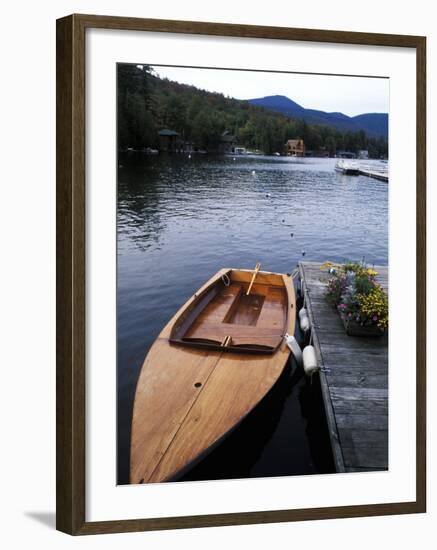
(225, 317)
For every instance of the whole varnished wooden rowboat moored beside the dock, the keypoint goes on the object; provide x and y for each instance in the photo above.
(211, 364)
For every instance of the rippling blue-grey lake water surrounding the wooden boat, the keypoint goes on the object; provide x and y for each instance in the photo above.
(180, 220)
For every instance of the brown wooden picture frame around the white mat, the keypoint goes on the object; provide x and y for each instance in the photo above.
(70, 204)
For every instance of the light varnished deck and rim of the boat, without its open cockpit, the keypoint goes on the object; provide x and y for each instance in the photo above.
(189, 397)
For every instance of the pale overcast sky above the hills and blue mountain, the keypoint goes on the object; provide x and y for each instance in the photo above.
(349, 95)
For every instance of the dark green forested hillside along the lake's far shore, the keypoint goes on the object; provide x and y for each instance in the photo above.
(147, 104)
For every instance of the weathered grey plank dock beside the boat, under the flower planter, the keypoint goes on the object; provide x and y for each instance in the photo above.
(354, 379)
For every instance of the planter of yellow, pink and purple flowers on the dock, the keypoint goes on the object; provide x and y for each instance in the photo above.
(361, 302)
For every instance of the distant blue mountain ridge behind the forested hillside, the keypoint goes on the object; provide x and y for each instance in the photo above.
(374, 124)
